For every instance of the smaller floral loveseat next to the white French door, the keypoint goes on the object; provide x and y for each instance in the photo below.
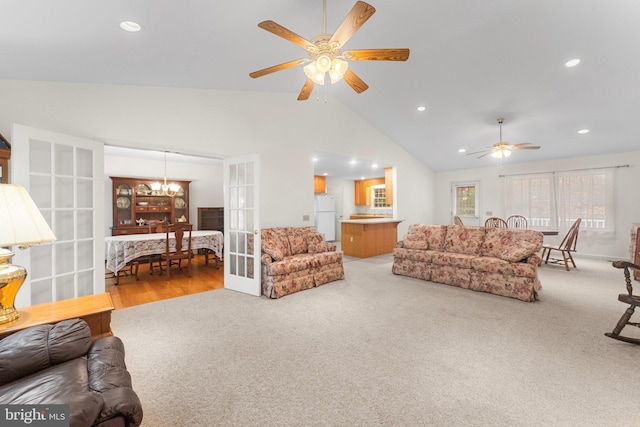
(297, 258)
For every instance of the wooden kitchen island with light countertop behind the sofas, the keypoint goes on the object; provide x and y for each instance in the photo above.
(364, 238)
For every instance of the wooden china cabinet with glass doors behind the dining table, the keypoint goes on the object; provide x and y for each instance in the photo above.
(135, 204)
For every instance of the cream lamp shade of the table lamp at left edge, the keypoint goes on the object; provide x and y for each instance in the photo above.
(21, 222)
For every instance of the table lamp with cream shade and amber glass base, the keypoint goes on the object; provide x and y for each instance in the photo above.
(22, 225)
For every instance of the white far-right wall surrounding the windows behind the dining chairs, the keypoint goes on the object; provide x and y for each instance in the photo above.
(627, 204)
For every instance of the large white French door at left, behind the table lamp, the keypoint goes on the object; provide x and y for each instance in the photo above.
(65, 177)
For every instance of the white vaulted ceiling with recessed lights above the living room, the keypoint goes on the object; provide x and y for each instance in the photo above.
(471, 62)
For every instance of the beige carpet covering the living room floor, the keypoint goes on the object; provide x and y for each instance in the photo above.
(378, 349)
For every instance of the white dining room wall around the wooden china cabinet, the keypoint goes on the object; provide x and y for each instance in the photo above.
(205, 189)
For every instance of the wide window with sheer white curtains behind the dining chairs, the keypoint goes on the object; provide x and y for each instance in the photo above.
(557, 199)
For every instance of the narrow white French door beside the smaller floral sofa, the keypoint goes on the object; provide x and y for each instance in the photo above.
(241, 225)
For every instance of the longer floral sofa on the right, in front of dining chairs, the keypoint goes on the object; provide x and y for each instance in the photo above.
(500, 261)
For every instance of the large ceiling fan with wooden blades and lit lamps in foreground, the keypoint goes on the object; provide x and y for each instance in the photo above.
(326, 54)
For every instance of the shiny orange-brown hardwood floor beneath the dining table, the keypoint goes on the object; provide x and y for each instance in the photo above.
(155, 287)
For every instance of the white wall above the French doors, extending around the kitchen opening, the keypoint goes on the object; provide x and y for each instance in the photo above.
(284, 131)
